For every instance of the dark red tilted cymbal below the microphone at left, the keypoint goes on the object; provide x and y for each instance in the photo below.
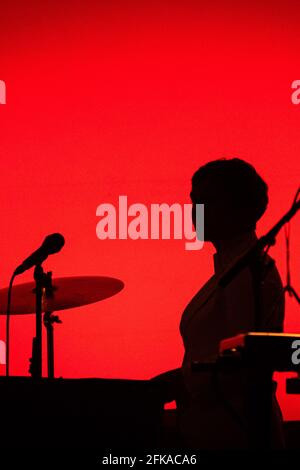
(68, 292)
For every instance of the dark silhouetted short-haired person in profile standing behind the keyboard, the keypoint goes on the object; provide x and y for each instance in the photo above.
(234, 197)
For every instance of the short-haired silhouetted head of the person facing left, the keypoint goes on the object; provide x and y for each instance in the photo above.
(234, 197)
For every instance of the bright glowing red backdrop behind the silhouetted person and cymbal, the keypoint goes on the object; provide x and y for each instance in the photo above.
(105, 100)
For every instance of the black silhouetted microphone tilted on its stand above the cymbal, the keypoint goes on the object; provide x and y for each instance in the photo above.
(52, 244)
